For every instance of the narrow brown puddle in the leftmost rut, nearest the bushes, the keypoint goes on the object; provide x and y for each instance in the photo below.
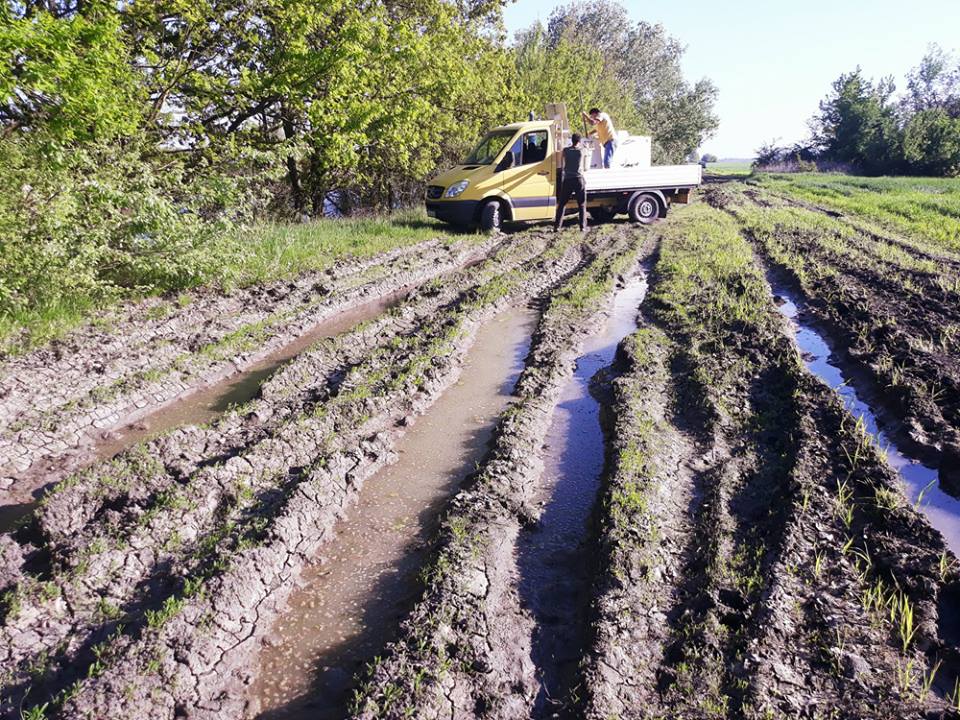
(201, 406)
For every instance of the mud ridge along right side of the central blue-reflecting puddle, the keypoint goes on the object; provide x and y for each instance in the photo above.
(644, 523)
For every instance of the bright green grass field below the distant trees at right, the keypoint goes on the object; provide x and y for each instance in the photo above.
(926, 209)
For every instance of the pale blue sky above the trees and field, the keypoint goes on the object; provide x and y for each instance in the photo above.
(774, 60)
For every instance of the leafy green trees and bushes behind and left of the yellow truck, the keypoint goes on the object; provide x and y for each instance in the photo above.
(134, 135)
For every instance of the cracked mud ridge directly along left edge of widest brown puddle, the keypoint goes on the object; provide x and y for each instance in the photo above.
(196, 645)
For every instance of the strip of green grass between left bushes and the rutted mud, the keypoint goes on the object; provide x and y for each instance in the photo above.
(257, 254)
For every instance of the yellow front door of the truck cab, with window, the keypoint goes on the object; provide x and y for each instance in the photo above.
(530, 182)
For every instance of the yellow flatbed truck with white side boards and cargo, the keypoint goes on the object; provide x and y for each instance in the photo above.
(513, 174)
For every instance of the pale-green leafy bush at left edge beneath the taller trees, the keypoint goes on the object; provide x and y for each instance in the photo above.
(84, 225)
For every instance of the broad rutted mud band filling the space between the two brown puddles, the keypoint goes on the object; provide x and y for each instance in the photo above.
(170, 562)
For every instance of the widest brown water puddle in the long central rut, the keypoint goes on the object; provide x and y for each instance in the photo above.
(353, 599)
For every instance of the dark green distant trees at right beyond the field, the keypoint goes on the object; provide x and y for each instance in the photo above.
(864, 126)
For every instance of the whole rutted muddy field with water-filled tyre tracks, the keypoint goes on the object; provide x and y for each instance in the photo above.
(645, 472)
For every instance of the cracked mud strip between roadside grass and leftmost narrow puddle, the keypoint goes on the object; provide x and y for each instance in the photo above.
(58, 403)
